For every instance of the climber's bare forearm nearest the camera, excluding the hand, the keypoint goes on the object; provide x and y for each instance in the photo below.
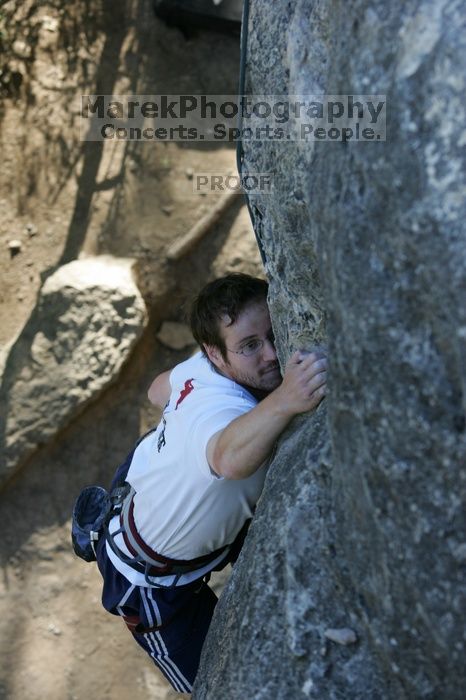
(244, 445)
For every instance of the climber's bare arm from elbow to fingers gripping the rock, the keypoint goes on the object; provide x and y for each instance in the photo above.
(238, 450)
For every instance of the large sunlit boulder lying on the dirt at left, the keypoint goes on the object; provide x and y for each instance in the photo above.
(88, 317)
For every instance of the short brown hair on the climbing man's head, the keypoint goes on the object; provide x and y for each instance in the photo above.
(226, 296)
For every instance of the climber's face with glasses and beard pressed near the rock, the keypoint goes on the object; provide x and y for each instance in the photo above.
(251, 359)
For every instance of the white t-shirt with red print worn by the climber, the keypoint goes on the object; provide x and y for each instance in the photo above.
(181, 508)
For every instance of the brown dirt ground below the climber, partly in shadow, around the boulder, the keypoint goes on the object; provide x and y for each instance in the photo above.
(61, 198)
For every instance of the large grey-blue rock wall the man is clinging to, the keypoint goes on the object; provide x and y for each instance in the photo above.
(352, 581)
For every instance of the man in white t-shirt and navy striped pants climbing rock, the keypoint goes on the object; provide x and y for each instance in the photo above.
(194, 481)
